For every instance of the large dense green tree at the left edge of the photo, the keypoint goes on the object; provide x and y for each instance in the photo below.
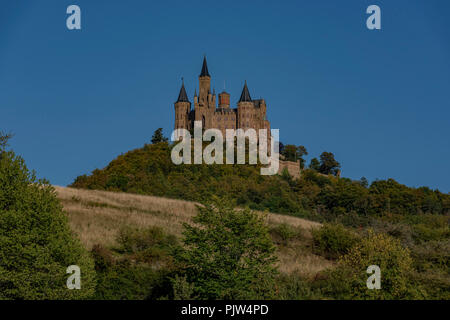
(36, 243)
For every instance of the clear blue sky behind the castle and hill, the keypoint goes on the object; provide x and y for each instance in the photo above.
(379, 100)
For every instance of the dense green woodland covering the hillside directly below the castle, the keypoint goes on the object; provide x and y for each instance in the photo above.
(149, 170)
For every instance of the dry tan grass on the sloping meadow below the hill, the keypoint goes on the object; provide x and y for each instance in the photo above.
(97, 216)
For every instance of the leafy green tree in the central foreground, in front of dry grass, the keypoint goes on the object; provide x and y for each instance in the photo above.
(229, 253)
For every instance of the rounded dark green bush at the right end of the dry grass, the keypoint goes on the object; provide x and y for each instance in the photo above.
(333, 240)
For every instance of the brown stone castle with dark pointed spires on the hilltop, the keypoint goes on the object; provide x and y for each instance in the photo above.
(248, 114)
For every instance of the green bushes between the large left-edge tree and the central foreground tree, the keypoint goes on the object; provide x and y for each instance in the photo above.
(139, 268)
